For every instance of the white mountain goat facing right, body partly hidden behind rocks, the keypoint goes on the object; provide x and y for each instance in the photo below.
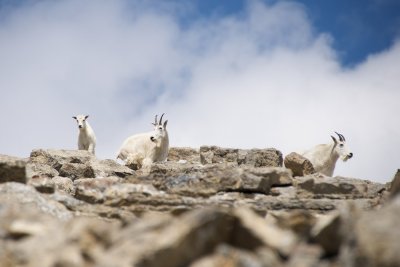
(324, 157)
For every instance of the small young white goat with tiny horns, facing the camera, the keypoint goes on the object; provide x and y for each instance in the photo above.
(86, 137)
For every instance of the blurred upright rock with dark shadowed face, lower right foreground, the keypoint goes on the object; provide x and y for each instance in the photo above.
(327, 233)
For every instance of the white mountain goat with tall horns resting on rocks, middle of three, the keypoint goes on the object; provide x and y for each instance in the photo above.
(146, 148)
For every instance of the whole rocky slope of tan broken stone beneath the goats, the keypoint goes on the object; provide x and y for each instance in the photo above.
(206, 207)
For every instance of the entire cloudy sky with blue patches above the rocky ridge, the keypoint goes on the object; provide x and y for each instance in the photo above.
(232, 73)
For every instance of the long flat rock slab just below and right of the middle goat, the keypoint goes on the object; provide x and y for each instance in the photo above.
(188, 179)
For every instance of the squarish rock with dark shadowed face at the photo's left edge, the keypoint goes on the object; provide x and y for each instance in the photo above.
(12, 169)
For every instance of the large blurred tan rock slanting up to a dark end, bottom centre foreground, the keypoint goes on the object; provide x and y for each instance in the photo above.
(176, 242)
